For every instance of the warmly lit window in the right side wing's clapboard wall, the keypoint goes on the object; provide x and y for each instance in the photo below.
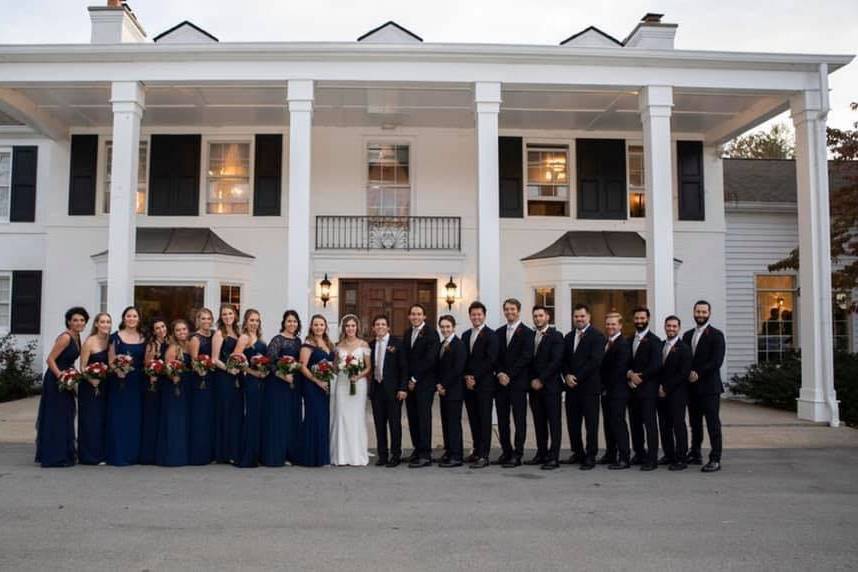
(776, 332)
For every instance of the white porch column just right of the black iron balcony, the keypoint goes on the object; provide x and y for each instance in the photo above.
(487, 100)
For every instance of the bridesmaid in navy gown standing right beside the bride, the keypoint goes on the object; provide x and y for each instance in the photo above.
(315, 428)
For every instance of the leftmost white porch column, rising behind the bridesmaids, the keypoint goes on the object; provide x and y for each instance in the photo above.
(128, 99)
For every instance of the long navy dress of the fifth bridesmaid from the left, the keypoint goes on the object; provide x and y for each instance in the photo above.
(172, 450)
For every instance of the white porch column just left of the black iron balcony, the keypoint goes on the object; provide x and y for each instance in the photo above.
(298, 291)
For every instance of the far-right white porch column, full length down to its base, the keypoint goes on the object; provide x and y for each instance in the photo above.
(817, 400)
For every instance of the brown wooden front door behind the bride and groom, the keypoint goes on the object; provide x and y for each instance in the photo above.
(367, 298)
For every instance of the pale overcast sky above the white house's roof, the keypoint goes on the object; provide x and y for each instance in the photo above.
(794, 26)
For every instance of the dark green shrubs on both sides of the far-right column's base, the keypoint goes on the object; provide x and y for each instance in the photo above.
(777, 384)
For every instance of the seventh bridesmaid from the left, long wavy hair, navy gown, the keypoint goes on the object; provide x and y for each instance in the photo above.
(229, 409)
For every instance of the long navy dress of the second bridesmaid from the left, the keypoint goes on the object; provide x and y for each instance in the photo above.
(92, 417)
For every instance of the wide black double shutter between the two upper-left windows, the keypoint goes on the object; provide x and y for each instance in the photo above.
(174, 175)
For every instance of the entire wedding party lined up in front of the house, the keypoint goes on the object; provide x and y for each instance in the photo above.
(214, 391)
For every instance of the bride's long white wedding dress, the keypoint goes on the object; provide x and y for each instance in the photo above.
(348, 417)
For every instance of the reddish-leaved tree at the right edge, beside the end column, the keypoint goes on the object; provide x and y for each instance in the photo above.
(843, 146)
